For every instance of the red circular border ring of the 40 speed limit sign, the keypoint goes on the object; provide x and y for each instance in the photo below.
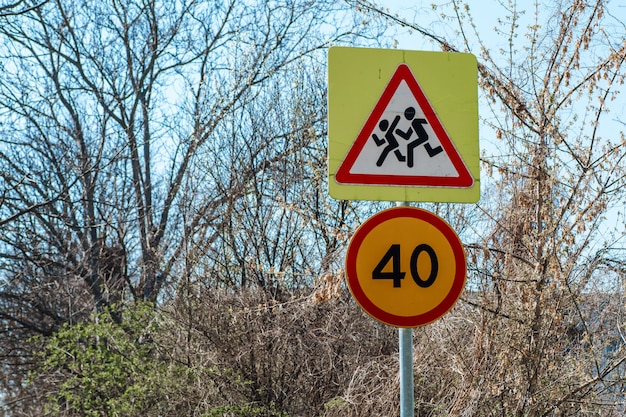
(372, 309)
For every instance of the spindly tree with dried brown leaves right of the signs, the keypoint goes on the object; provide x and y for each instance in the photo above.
(544, 303)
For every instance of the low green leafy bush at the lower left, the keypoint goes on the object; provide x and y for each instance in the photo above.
(104, 367)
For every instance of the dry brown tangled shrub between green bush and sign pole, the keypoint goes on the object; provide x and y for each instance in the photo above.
(302, 356)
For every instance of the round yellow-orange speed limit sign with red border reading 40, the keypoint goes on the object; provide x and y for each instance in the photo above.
(405, 267)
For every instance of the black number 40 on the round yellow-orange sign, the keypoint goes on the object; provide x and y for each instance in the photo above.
(393, 255)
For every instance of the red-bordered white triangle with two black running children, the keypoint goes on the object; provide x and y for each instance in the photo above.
(403, 143)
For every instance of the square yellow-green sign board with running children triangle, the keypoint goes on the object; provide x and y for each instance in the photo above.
(403, 125)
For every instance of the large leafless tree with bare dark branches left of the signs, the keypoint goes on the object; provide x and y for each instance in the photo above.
(133, 138)
